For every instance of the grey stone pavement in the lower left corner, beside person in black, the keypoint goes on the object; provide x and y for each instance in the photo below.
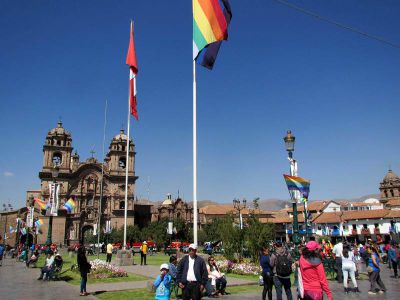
(19, 282)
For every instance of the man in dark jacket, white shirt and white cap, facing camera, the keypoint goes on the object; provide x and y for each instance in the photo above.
(192, 274)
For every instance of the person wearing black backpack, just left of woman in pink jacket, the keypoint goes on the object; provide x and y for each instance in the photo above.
(281, 265)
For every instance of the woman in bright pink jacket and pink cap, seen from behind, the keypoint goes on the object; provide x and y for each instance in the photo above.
(313, 274)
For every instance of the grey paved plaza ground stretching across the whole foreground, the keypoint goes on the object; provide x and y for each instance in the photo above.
(19, 282)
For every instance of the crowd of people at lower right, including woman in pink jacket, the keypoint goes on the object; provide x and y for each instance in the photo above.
(277, 265)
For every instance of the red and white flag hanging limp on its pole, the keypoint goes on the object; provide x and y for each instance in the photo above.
(133, 69)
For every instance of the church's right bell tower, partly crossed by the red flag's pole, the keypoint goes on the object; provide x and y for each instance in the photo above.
(117, 155)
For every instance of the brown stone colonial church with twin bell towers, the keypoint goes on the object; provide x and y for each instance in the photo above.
(82, 181)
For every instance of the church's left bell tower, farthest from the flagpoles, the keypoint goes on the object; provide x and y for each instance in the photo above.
(57, 150)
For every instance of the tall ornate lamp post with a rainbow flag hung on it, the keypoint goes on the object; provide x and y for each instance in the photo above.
(289, 143)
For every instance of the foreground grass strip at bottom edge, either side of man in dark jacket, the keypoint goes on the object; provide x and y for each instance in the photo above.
(143, 294)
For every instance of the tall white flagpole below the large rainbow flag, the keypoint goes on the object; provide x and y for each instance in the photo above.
(194, 156)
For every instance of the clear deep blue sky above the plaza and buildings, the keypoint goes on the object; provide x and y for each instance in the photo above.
(336, 90)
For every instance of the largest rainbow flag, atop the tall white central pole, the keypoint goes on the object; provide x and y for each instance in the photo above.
(210, 27)
